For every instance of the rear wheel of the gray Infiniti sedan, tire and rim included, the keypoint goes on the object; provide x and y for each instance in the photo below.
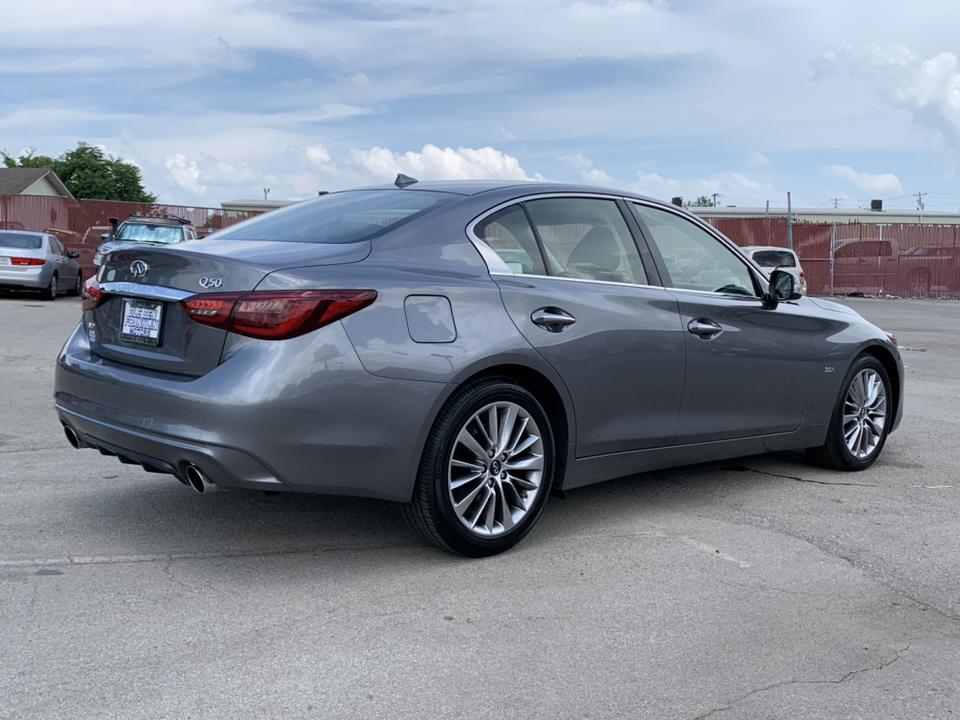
(486, 470)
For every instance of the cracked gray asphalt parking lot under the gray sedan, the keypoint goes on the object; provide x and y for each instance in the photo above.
(758, 588)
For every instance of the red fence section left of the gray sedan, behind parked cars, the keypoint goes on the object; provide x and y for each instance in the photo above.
(80, 223)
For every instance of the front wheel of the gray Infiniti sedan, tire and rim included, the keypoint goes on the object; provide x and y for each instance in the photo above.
(861, 418)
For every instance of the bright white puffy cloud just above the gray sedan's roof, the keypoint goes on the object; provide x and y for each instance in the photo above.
(435, 163)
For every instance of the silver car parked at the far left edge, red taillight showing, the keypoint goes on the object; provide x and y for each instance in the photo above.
(38, 261)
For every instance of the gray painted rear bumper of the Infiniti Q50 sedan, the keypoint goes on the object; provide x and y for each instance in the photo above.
(299, 415)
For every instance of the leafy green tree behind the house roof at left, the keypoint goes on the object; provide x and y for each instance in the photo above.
(89, 172)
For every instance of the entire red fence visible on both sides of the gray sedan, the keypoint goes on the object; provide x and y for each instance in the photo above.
(874, 259)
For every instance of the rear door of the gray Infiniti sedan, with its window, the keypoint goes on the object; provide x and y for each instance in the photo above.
(576, 284)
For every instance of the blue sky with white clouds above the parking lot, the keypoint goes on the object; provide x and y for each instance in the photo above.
(836, 101)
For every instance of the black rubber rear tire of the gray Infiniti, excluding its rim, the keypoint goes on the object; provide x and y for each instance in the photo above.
(430, 512)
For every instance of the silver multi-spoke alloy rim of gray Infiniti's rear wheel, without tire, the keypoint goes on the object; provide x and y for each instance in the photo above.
(495, 469)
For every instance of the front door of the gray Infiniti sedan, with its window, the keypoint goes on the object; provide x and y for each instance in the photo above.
(750, 367)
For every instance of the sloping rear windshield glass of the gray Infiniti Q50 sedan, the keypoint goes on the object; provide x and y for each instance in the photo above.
(344, 217)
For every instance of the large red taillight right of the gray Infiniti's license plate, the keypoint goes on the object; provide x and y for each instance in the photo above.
(276, 315)
